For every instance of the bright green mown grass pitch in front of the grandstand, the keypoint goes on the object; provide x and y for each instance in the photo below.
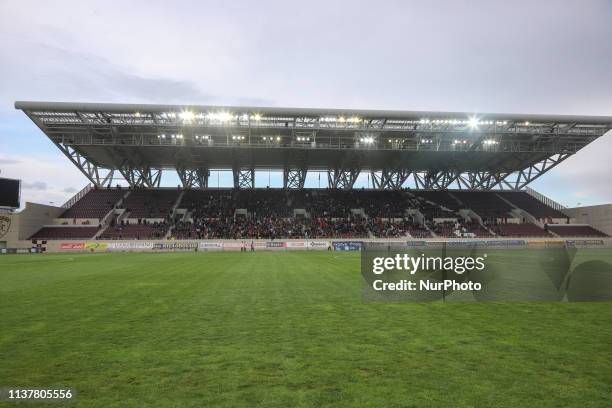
(283, 329)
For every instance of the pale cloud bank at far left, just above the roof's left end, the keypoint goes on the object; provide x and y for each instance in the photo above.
(81, 76)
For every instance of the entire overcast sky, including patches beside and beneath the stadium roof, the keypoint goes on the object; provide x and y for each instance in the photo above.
(547, 57)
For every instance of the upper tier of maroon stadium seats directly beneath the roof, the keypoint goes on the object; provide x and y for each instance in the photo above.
(157, 203)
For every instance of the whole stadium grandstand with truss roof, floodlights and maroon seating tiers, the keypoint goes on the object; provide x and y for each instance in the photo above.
(433, 174)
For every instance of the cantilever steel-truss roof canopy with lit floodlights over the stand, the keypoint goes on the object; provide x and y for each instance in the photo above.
(435, 149)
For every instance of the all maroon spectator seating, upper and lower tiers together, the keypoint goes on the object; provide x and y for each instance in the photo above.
(212, 213)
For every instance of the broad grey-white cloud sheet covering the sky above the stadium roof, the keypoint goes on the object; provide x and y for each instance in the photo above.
(536, 58)
